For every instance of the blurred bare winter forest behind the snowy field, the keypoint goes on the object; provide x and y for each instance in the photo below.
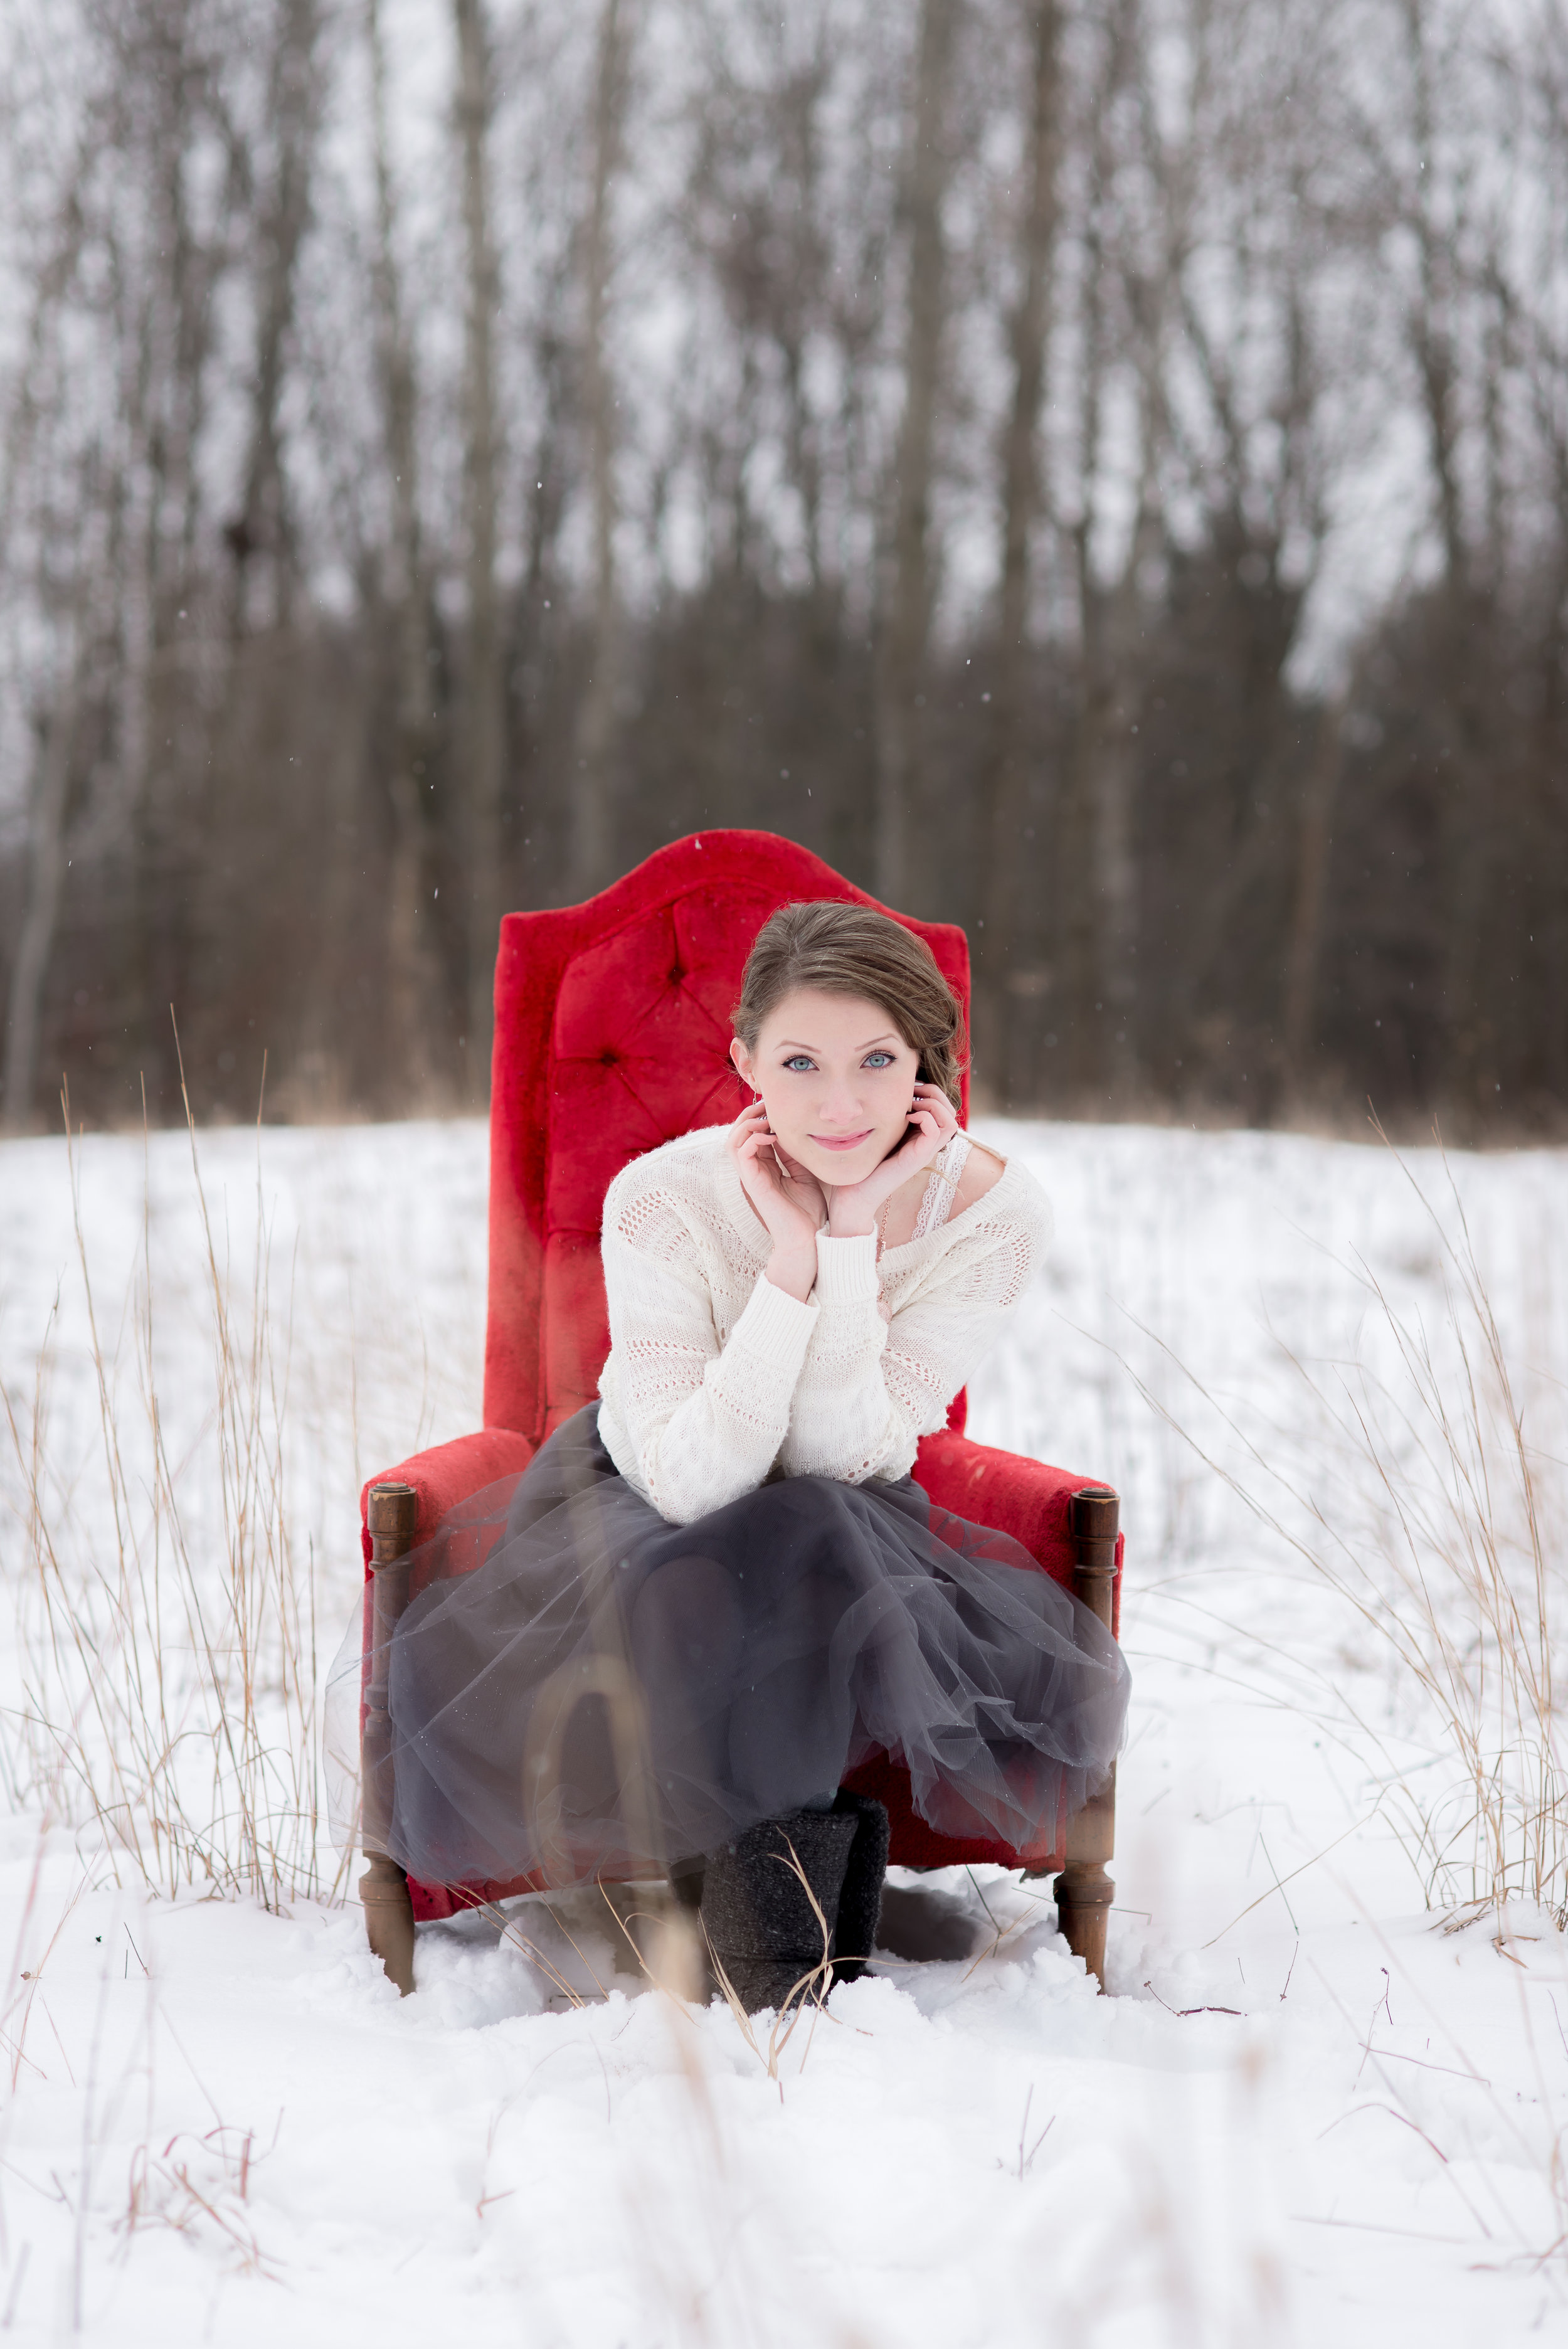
(1095, 471)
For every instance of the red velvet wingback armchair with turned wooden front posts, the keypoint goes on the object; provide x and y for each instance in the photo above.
(611, 1037)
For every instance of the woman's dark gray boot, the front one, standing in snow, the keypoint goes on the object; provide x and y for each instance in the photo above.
(757, 1913)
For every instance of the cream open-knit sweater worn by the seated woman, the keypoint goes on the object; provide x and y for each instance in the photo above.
(715, 1375)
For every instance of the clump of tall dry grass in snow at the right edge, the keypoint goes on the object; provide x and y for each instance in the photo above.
(1428, 1514)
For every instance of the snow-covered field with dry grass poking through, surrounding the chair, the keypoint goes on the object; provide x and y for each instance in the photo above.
(1311, 2106)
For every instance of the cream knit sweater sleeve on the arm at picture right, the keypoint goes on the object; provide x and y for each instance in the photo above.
(872, 1385)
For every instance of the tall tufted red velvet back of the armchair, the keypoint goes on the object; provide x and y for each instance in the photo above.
(611, 1037)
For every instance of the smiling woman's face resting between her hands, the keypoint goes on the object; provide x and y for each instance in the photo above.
(837, 1082)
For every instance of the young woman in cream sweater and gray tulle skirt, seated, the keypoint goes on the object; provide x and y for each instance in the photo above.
(719, 1589)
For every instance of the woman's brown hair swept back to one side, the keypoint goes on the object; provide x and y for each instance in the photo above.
(851, 950)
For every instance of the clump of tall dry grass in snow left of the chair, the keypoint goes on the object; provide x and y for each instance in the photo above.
(170, 1643)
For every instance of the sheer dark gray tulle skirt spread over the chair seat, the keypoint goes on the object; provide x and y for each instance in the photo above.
(609, 1692)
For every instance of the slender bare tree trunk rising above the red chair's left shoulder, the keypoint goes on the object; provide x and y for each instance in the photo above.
(595, 746)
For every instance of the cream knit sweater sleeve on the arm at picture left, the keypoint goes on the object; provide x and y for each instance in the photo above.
(705, 1420)
